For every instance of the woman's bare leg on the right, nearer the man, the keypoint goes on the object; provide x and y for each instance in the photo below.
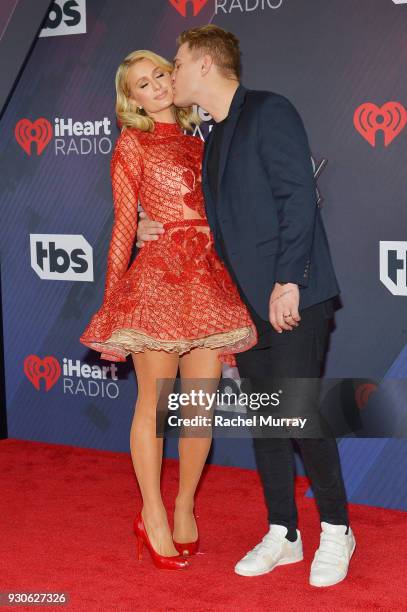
(198, 364)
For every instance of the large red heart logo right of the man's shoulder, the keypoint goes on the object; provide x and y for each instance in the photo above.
(391, 118)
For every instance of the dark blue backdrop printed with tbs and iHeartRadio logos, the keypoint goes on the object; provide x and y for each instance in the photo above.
(341, 63)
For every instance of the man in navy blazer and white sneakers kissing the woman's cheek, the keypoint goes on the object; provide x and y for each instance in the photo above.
(261, 204)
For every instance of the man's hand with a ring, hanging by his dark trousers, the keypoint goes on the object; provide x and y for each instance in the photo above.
(283, 307)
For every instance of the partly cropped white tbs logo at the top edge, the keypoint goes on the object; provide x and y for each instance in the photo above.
(65, 17)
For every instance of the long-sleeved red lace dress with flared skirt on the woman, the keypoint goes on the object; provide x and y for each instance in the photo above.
(177, 294)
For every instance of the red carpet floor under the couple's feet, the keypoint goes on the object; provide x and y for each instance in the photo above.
(67, 526)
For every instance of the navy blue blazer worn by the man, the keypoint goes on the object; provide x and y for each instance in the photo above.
(267, 202)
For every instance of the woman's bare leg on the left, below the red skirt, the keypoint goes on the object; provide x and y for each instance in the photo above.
(147, 449)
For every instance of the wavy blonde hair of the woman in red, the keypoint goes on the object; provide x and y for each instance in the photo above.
(128, 113)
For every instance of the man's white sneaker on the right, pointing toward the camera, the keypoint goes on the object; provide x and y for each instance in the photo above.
(331, 560)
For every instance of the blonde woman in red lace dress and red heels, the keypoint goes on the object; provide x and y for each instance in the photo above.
(176, 305)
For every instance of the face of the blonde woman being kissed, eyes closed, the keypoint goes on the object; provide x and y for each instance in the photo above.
(150, 86)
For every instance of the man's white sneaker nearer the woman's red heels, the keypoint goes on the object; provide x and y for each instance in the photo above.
(274, 549)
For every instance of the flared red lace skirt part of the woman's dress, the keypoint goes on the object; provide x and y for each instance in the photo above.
(176, 295)
